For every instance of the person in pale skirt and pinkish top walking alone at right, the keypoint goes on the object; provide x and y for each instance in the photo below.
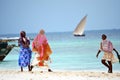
(108, 58)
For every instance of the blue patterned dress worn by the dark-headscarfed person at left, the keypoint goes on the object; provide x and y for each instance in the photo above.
(24, 55)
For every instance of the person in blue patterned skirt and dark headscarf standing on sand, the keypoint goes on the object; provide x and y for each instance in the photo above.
(25, 51)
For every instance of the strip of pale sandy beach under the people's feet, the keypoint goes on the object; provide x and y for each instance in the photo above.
(57, 75)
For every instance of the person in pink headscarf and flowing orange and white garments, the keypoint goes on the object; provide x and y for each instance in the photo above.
(42, 51)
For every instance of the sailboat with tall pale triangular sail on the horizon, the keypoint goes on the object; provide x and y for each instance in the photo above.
(79, 31)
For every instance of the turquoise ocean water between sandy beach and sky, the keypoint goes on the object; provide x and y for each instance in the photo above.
(69, 52)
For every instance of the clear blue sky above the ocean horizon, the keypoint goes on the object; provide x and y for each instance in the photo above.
(57, 15)
